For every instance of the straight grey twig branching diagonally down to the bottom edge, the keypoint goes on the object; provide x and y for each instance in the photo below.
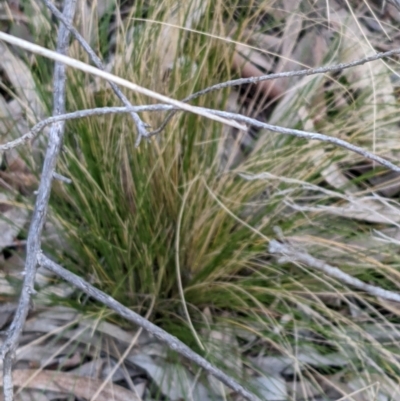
(133, 317)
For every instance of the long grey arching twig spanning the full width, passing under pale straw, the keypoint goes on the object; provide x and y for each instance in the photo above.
(238, 117)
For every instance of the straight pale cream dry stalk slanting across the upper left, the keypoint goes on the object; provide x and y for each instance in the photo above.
(79, 65)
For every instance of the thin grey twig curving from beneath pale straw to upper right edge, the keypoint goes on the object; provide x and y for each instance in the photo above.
(287, 74)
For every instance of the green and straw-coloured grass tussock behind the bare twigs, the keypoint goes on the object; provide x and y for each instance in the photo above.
(179, 228)
